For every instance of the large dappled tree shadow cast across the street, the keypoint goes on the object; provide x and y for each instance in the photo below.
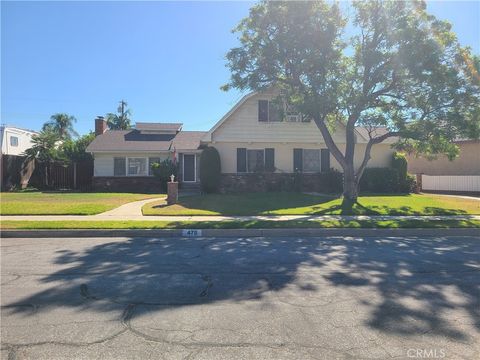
(414, 283)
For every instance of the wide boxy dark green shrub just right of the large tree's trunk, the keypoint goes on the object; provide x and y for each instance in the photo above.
(380, 180)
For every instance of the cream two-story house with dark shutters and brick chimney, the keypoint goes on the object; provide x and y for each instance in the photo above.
(253, 137)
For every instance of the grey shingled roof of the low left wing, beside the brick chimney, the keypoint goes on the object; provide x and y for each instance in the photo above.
(136, 141)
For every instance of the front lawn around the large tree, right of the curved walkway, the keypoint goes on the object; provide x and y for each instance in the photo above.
(303, 204)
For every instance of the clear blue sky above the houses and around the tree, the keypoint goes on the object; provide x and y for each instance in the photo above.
(166, 59)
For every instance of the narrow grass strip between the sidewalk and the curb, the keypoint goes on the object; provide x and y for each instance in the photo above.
(253, 224)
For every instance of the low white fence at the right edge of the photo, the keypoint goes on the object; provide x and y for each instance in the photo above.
(451, 183)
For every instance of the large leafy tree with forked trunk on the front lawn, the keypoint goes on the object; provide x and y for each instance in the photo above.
(399, 73)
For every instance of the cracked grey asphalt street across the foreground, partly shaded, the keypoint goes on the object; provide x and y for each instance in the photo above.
(240, 298)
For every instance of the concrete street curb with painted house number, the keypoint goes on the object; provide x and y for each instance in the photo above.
(182, 233)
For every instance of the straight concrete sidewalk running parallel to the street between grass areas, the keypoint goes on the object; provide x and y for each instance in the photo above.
(120, 217)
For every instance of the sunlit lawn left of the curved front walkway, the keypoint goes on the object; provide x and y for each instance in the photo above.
(58, 203)
